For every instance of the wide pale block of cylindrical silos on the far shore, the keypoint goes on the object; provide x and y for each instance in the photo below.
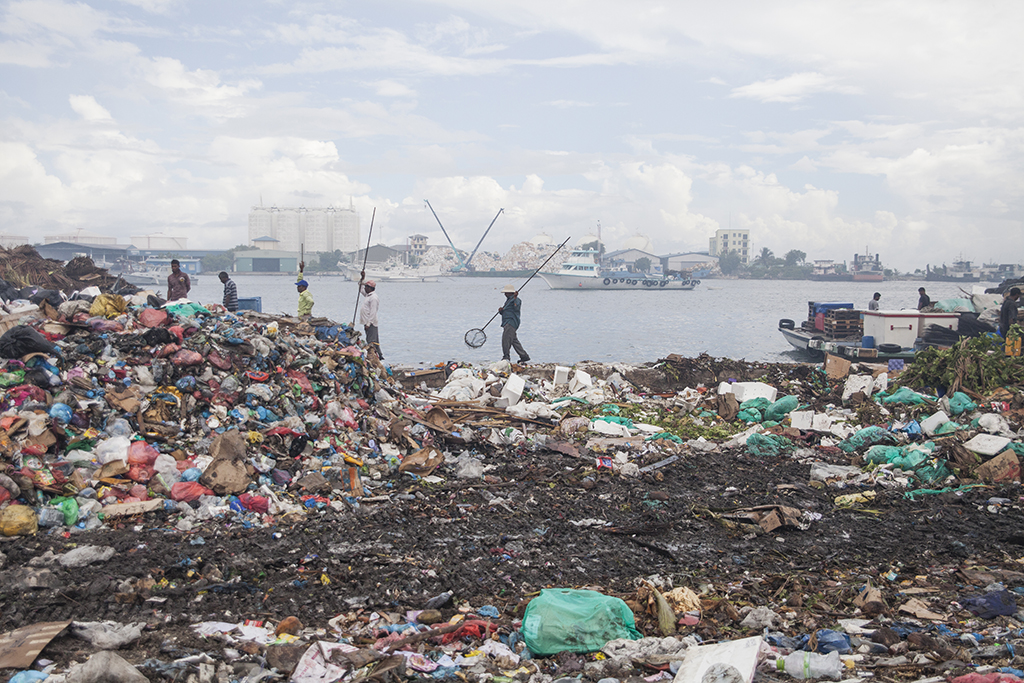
(315, 231)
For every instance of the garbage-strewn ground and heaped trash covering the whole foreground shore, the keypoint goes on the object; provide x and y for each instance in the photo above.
(193, 494)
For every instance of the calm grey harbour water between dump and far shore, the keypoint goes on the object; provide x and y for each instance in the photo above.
(424, 323)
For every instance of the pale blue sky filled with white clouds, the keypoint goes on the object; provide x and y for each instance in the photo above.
(828, 127)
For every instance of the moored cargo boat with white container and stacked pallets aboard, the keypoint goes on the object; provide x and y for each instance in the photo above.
(840, 329)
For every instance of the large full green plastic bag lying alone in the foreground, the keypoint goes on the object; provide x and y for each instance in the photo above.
(563, 620)
